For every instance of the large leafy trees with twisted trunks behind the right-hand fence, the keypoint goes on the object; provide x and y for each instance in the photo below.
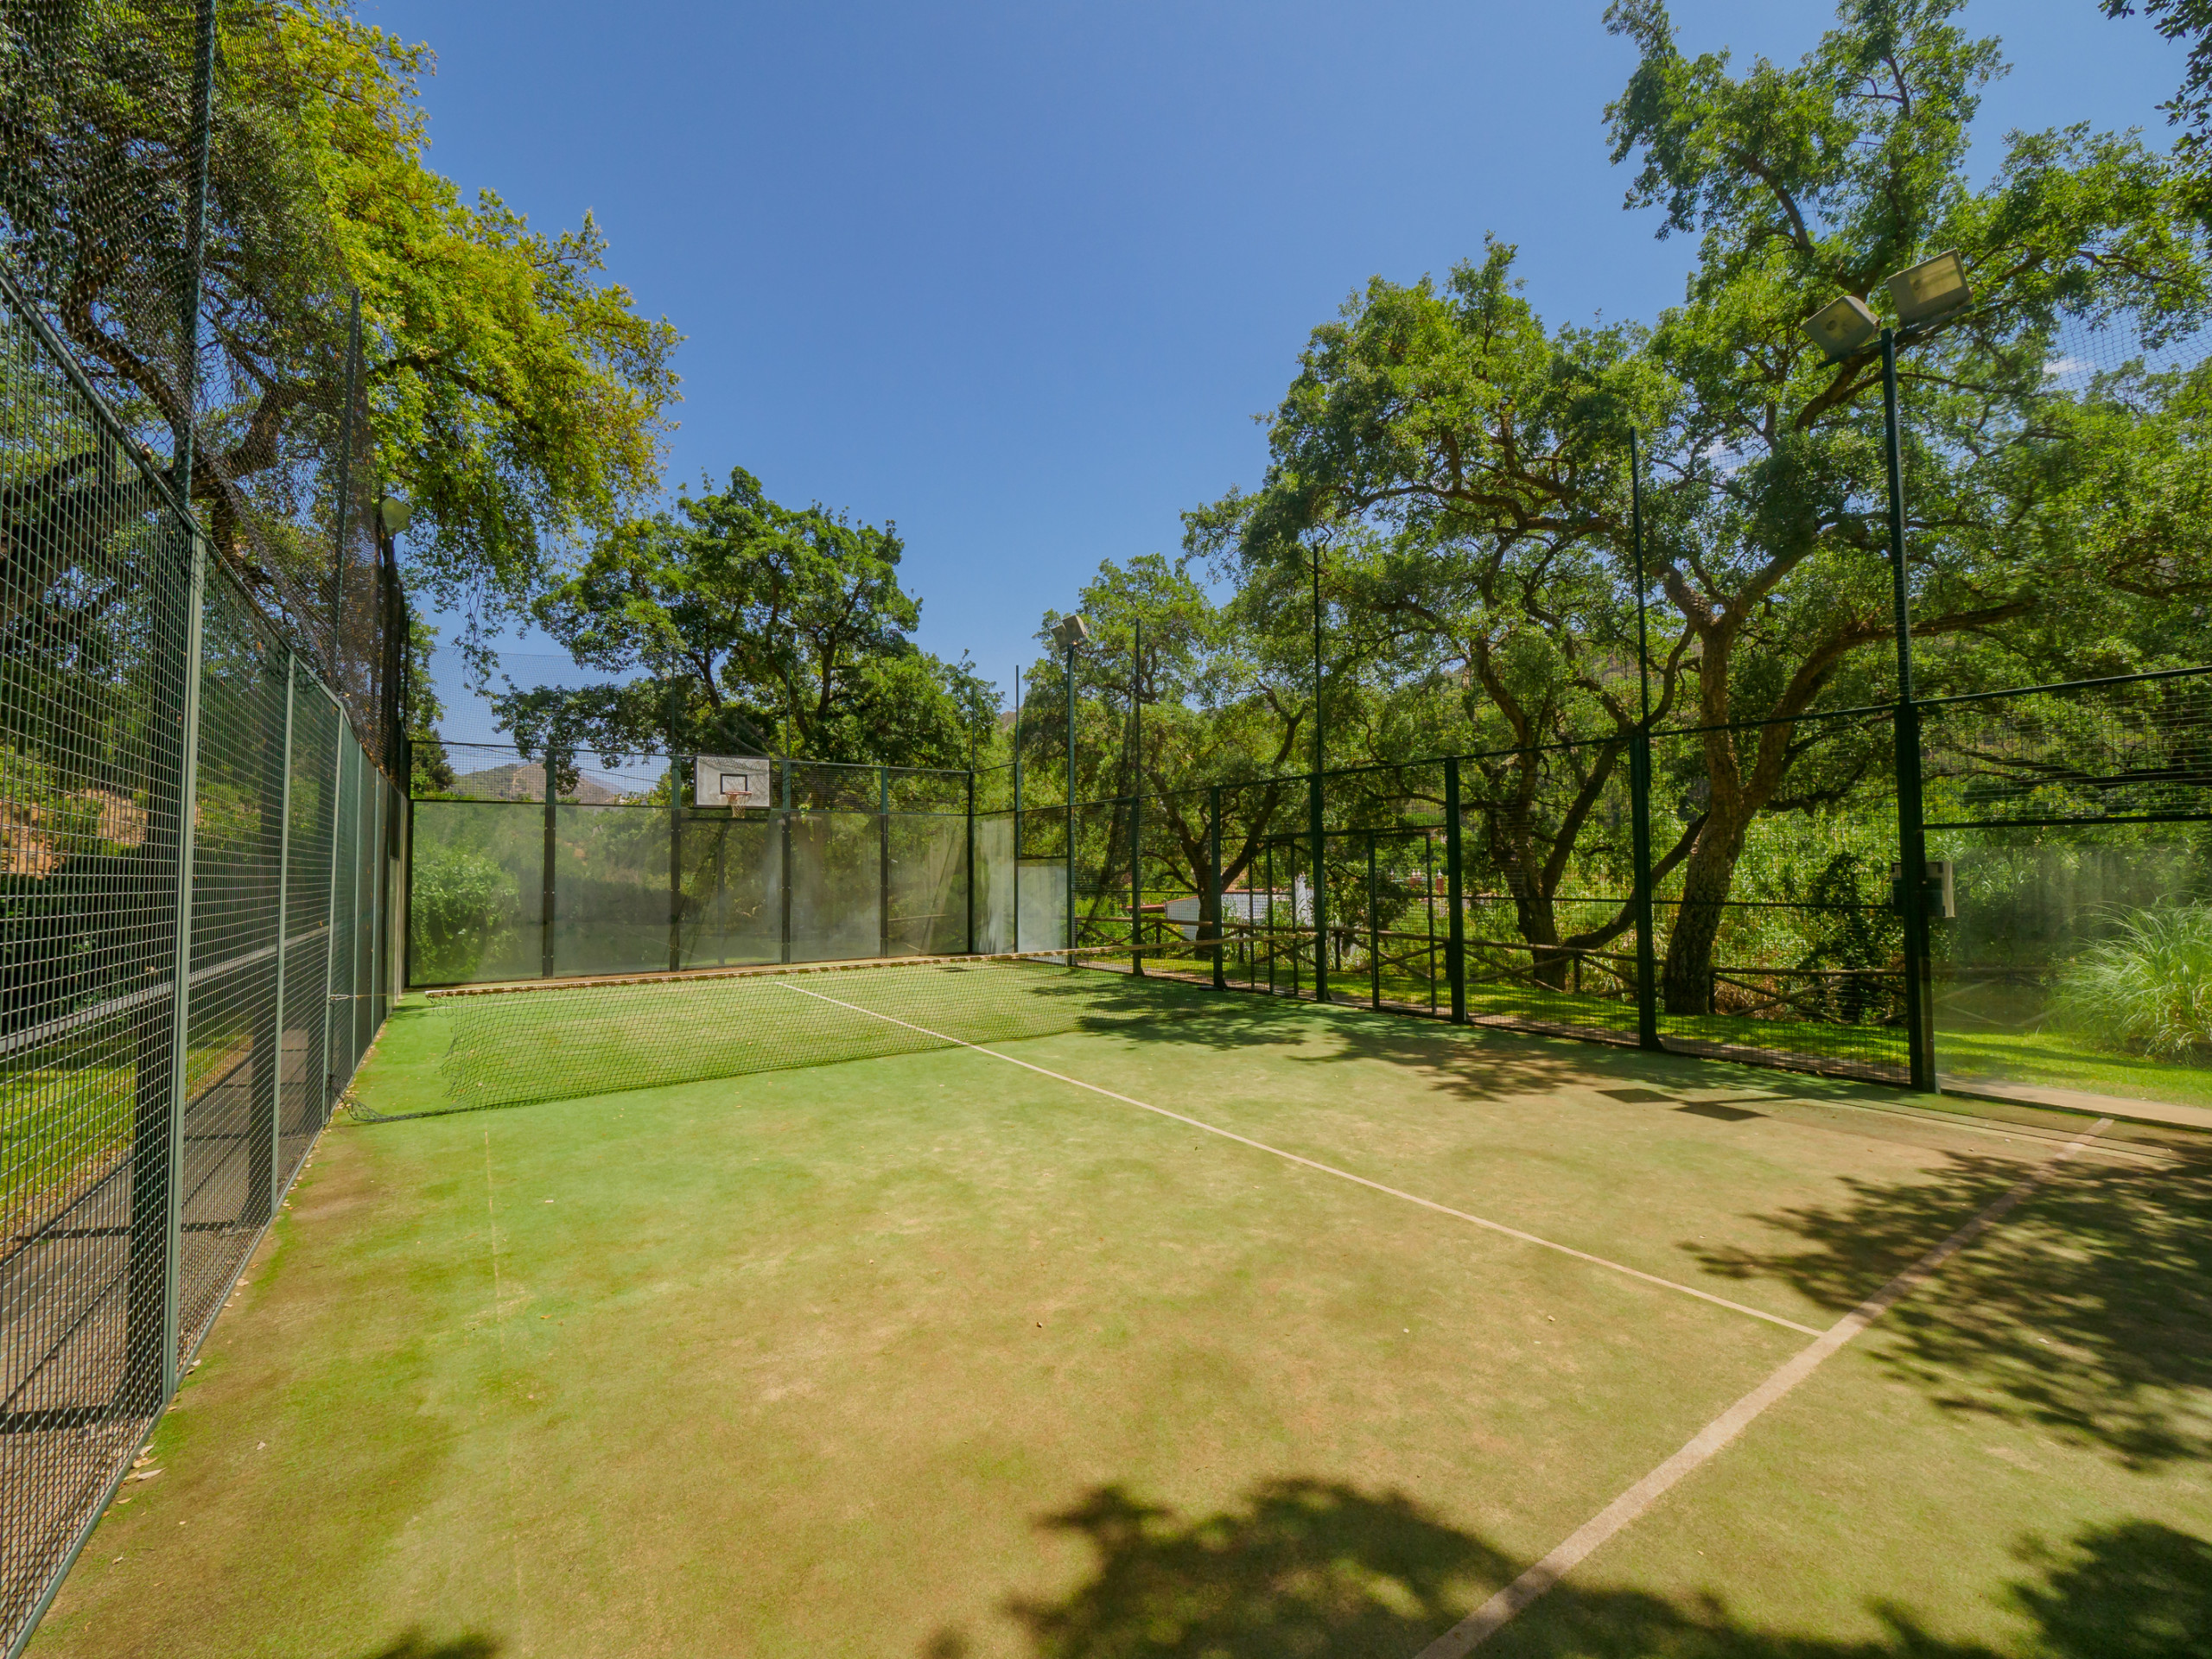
(1459, 468)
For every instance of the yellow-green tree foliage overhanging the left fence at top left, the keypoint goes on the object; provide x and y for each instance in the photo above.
(517, 395)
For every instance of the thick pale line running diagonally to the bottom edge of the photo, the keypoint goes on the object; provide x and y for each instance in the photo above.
(1485, 1623)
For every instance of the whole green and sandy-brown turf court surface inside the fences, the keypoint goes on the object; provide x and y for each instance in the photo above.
(1158, 1322)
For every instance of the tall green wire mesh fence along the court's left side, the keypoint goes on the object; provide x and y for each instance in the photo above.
(198, 674)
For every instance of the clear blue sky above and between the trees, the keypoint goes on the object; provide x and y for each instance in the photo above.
(1021, 275)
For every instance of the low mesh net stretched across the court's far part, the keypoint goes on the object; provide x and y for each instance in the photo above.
(563, 1041)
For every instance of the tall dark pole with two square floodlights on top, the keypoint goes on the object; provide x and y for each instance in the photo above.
(1923, 298)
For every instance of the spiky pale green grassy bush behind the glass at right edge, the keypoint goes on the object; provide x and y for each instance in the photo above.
(2149, 988)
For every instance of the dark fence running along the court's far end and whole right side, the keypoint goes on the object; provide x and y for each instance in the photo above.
(2067, 833)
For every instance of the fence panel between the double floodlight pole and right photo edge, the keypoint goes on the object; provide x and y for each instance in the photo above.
(2072, 831)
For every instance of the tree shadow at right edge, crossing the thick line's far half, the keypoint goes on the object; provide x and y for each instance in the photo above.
(2087, 1315)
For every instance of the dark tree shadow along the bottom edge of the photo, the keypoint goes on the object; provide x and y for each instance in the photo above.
(1324, 1569)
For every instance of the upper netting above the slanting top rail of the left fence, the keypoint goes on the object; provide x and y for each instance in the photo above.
(101, 118)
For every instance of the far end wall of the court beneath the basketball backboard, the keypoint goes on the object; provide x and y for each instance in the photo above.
(530, 870)
